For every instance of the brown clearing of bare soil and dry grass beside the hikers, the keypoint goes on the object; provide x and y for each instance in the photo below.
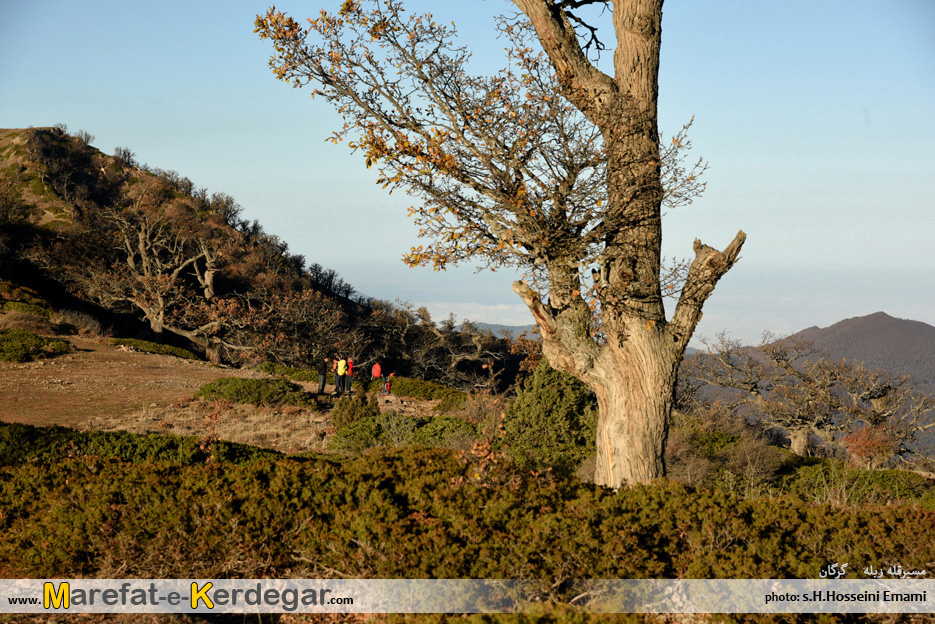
(107, 388)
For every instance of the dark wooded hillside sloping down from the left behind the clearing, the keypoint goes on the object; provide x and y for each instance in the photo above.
(148, 254)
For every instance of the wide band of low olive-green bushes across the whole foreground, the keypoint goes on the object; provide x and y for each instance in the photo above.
(420, 513)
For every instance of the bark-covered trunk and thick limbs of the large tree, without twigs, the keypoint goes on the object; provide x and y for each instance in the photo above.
(633, 369)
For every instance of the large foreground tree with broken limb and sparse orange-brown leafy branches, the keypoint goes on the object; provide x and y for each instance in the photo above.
(550, 164)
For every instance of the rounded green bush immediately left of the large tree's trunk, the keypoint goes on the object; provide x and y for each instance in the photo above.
(552, 423)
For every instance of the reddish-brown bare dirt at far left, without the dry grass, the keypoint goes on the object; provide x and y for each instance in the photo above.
(99, 381)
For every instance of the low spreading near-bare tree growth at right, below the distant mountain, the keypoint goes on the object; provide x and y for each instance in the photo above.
(790, 384)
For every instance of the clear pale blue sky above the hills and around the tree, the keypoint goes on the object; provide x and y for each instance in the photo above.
(816, 119)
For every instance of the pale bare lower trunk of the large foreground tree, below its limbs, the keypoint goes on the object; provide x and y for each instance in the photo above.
(634, 387)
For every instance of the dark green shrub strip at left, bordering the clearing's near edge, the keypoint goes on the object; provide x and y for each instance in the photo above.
(21, 443)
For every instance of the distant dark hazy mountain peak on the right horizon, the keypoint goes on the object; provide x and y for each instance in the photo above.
(898, 346)
